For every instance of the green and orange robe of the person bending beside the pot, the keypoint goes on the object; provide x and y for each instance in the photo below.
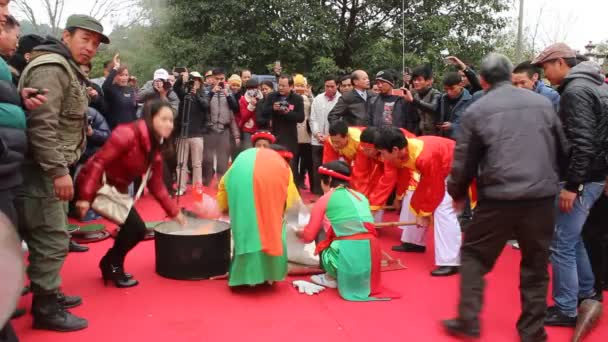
(256, 191)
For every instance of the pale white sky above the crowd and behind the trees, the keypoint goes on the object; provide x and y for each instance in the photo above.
(575, 22)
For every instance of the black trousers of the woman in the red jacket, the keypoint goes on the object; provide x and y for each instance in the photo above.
(130, 234)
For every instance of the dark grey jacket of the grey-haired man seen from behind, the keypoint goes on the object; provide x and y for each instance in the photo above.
(512, 142)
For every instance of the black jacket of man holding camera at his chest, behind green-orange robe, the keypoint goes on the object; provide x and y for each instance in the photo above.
(284, 126)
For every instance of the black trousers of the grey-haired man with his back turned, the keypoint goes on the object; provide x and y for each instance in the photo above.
(532, 222)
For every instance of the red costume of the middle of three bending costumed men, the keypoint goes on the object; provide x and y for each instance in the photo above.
(376, 178)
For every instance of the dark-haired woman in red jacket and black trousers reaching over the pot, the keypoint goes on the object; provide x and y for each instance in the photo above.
(131, 150)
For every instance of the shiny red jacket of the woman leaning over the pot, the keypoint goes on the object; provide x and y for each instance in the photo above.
(123, 158)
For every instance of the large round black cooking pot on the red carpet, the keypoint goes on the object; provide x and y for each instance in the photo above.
(199, 250)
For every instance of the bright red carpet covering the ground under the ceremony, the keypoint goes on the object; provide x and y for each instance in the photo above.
(161, 309)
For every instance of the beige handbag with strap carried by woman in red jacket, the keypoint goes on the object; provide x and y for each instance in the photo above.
(113, 204)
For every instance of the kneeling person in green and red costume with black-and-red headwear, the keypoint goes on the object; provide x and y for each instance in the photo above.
(350, 254)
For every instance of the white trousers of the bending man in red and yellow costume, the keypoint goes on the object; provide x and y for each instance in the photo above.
(448, 237)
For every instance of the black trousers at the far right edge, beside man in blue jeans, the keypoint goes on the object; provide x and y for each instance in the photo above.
(595, 236)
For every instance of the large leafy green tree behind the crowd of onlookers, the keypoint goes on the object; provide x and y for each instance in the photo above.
(352, 33)
